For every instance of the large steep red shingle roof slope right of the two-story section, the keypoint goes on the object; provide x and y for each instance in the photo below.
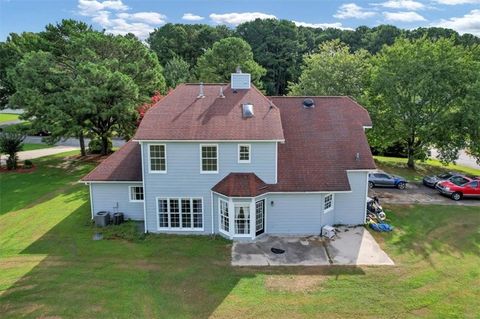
(321, 143)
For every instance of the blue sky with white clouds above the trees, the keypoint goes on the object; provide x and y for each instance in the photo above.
(142, 17)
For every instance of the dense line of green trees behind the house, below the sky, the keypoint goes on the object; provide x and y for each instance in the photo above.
(420, 86)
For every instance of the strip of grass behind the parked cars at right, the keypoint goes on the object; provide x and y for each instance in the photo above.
(398, 166)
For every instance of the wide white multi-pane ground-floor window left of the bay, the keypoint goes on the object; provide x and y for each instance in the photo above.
(180, 213)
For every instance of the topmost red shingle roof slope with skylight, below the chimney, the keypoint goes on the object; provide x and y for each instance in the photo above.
(182, 116)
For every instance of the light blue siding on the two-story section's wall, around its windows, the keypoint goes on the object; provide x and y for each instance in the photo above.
(183, 177)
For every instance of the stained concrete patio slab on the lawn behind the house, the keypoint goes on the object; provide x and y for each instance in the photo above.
(351, 246)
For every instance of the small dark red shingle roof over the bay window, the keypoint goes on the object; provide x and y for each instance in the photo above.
(241, 185)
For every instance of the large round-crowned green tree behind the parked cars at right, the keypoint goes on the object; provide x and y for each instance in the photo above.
(416, 95)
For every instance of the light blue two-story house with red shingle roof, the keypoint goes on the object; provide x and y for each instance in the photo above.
(225, 159)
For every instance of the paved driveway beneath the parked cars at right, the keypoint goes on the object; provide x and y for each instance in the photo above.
(417, 193)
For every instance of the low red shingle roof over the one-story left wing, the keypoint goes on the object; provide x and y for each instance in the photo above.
(123, 165)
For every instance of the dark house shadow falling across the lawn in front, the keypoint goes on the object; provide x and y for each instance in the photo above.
(162, 276)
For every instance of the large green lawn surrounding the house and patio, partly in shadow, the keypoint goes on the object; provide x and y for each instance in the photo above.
(50, 267)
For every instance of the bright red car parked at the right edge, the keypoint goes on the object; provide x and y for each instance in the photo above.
(460, 187)
